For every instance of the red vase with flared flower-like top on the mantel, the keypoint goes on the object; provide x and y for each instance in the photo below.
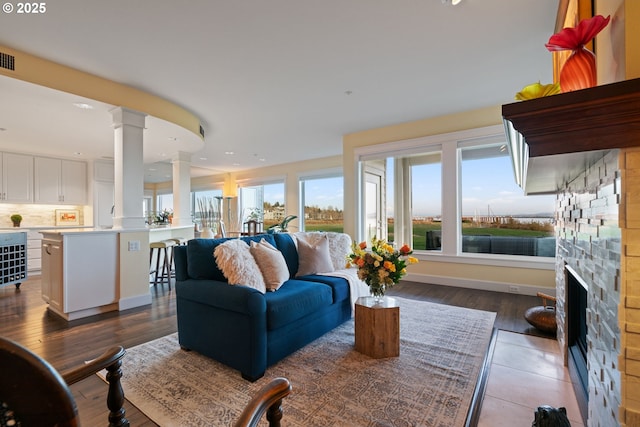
(579, 71)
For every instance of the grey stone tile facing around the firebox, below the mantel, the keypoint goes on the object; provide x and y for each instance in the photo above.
(589, 243)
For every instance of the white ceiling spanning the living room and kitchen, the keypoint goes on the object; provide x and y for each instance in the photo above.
(274, 81)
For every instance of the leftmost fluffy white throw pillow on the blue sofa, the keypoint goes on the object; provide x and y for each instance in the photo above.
(238, 265)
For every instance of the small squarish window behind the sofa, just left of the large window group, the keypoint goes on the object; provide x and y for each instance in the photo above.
(322, 201)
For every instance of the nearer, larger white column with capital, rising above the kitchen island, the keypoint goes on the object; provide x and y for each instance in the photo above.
(128, 128)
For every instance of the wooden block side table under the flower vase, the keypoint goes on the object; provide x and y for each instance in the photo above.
(377, 327)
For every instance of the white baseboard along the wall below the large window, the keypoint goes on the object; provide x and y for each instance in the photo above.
(510, 288)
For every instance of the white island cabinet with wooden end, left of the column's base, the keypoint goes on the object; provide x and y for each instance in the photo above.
(79, 272)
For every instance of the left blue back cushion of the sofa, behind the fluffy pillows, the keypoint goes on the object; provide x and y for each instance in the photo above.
(200, 261)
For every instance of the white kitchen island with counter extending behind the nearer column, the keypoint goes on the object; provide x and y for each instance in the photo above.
(88, 271)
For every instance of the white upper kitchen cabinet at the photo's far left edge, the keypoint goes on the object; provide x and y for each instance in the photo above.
(17, 178)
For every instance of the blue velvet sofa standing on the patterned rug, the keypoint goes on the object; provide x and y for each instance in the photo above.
(243, 328)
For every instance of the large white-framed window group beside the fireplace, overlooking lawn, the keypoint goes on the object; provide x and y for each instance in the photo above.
(454, 195)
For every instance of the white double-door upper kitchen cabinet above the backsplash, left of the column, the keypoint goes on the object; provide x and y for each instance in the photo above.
(59, 181)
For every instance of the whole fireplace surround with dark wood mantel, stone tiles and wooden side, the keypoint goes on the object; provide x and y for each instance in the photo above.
(584, 146)
